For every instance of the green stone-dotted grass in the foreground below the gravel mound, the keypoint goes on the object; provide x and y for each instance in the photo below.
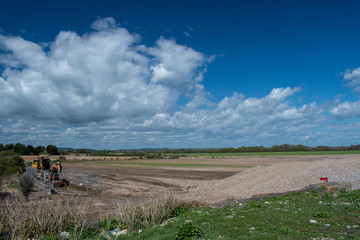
(314, 214)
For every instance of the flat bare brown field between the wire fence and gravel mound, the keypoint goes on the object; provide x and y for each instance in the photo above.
(134, 182)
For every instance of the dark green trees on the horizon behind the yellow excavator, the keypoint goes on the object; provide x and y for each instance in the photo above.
(21, 149)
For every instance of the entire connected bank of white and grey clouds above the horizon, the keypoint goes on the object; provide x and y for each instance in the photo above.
(105, 89)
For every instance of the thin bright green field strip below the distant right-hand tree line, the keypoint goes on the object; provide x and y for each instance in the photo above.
(270, 153)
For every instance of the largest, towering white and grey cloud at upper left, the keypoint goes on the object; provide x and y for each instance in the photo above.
(100, 75)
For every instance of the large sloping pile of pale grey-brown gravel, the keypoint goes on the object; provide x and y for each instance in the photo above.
(277, 178)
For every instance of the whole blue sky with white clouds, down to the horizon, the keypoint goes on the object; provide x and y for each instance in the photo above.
(179, 74)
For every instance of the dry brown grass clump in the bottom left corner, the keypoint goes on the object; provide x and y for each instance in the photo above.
(37, 219)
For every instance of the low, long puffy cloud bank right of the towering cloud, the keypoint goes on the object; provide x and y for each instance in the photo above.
(241, 117)
